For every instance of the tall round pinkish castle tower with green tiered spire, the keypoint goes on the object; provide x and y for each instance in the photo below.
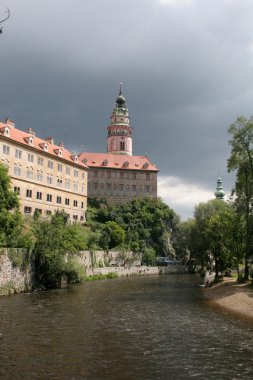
(119, 138)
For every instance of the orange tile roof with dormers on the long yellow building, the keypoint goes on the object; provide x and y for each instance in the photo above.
(53, 150)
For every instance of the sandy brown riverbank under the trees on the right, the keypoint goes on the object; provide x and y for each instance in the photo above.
(232, 297)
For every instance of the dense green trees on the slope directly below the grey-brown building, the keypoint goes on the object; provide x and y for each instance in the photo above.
(146, 222)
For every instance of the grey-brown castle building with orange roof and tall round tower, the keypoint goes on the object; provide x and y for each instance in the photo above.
(117, 176)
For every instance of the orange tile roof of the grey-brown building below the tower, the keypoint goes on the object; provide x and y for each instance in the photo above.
(115, 161)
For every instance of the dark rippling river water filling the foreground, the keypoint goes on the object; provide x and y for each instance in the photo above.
(156, 327)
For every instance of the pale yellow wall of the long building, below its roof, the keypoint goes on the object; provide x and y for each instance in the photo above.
(41, 185)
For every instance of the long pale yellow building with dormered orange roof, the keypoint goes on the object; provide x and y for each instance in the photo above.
(46, 176)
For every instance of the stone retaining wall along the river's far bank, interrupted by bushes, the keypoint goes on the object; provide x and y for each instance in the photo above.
(17, 270)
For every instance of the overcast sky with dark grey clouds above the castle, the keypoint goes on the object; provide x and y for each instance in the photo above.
(186, 68)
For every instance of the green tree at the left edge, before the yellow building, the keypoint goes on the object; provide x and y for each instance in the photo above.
(11, 221)
